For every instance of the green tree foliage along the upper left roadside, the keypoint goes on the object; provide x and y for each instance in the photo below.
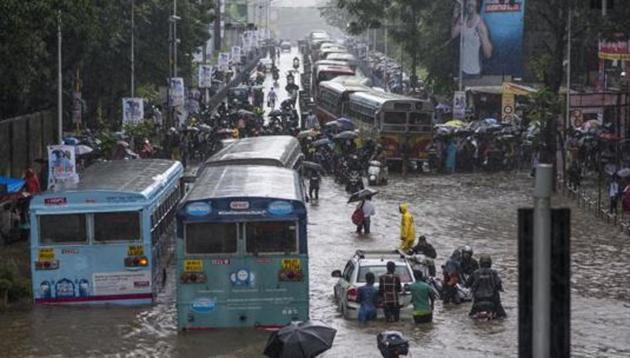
(96, 50)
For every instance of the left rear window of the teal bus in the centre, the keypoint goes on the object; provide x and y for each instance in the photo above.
(210, 238)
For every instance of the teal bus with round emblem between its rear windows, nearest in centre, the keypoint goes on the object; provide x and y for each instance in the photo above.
(242, 258)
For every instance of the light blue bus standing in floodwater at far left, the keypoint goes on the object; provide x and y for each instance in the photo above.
(109, 239)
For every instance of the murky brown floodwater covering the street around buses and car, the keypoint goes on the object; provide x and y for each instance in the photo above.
(475, 209)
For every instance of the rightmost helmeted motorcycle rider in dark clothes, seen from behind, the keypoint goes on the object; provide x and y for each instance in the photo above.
(485, 284)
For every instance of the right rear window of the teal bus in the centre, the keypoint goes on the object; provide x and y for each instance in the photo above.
(275, 236)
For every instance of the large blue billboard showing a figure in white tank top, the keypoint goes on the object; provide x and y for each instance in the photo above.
(492, 37)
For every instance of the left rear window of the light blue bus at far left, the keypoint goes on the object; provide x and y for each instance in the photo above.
(62, 229)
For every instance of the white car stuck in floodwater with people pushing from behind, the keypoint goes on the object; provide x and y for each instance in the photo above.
(353, 277)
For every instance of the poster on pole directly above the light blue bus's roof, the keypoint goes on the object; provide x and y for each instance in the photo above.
(62, 167)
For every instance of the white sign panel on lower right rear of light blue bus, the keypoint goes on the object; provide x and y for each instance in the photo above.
(116, 283)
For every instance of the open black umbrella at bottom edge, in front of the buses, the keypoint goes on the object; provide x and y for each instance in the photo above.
(300, 339)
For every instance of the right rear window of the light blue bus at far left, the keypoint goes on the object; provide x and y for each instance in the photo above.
(117, 226)
